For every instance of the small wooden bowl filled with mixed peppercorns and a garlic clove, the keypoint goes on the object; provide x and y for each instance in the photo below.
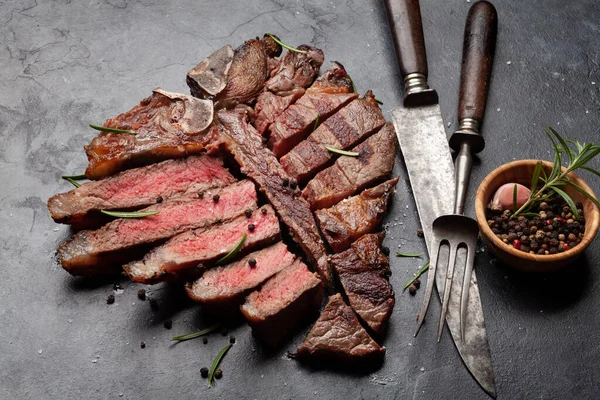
(551, 235)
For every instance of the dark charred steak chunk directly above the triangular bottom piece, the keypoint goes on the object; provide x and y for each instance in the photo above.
(365, 283)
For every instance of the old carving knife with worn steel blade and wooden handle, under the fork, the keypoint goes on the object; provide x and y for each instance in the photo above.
(424, 145)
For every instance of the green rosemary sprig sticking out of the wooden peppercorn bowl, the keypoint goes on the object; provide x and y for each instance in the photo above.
(578, 155)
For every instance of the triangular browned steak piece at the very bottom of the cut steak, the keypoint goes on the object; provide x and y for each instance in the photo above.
(338, 337)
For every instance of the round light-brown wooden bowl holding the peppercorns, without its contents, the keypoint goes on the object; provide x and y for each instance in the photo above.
(521, 172)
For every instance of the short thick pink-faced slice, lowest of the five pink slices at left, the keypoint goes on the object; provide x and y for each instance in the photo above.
(284, 302)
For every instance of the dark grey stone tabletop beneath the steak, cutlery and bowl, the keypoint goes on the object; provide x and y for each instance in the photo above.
(65, 64)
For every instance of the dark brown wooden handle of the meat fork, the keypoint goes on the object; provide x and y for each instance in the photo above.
(478, 55)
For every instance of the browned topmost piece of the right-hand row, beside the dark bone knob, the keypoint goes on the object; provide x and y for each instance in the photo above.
(296, 72)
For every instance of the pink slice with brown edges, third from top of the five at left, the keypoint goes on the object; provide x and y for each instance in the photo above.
(187, 250)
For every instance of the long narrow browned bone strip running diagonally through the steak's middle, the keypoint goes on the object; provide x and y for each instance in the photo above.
(260, 165)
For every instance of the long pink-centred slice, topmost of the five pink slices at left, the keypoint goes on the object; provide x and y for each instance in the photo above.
(137, 188)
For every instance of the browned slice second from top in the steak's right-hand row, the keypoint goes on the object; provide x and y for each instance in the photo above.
(328, 94)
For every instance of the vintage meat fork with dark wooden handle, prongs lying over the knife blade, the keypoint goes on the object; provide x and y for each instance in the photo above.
(456, 230)
